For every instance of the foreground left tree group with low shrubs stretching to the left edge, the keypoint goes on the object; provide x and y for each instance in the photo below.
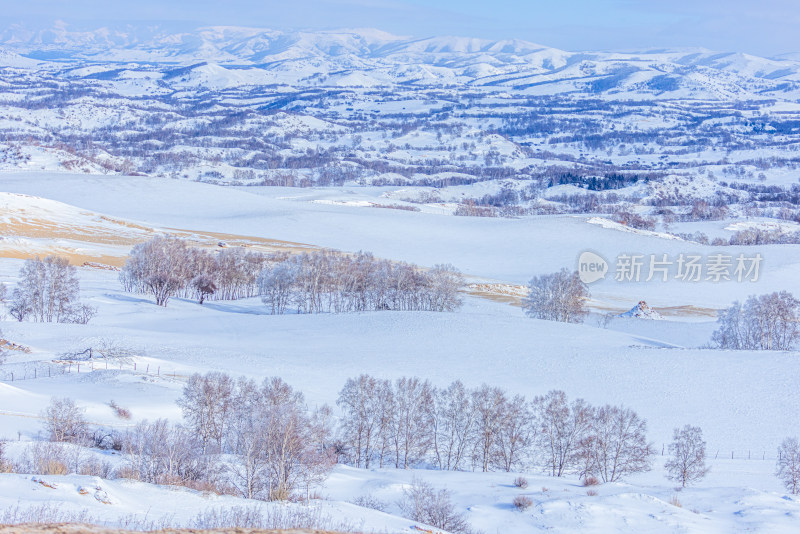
(258, 441)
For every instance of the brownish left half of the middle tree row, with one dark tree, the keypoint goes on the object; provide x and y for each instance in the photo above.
(166, 267)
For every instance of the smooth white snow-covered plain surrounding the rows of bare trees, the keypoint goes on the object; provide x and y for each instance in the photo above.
(745, 402)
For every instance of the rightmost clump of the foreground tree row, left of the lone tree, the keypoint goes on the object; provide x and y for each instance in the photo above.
(617, 444)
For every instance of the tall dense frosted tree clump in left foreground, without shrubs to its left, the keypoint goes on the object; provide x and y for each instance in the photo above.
(273, 444)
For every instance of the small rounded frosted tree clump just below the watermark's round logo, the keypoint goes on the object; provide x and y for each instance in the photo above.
(559, 296)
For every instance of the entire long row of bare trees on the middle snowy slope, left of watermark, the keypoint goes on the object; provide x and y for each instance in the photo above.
(313, 282)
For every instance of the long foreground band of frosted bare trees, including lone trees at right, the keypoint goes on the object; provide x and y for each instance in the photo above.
(261, 441)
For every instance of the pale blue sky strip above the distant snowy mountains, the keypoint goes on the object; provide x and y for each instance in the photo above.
(764, 27)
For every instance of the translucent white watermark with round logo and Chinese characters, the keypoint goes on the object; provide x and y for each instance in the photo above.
(663, 267)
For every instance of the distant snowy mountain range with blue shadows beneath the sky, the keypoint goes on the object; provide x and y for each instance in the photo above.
(223, 57)
